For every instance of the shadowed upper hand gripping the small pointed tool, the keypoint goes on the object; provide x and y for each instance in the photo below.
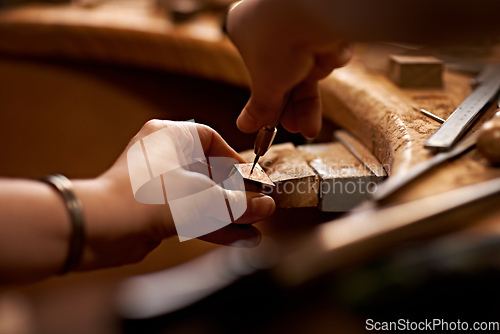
(286, 54)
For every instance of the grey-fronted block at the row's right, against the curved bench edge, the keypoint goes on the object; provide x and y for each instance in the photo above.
(344, 180)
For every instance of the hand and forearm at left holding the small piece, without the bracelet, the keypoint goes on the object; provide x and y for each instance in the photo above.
(132, 207)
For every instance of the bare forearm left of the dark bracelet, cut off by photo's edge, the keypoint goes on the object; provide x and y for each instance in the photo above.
(34, 230)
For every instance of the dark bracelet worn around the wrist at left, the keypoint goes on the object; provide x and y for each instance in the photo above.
(77, 239)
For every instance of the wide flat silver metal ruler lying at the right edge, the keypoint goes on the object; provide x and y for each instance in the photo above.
(459, 121)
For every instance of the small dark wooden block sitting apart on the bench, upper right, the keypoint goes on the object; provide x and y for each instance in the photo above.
(416, 71)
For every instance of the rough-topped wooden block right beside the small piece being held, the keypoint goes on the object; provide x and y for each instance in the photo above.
(296, 183)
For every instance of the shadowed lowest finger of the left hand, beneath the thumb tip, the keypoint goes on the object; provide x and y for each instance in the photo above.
(241, 235)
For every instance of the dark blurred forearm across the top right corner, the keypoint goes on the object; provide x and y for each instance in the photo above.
(422, 21)
